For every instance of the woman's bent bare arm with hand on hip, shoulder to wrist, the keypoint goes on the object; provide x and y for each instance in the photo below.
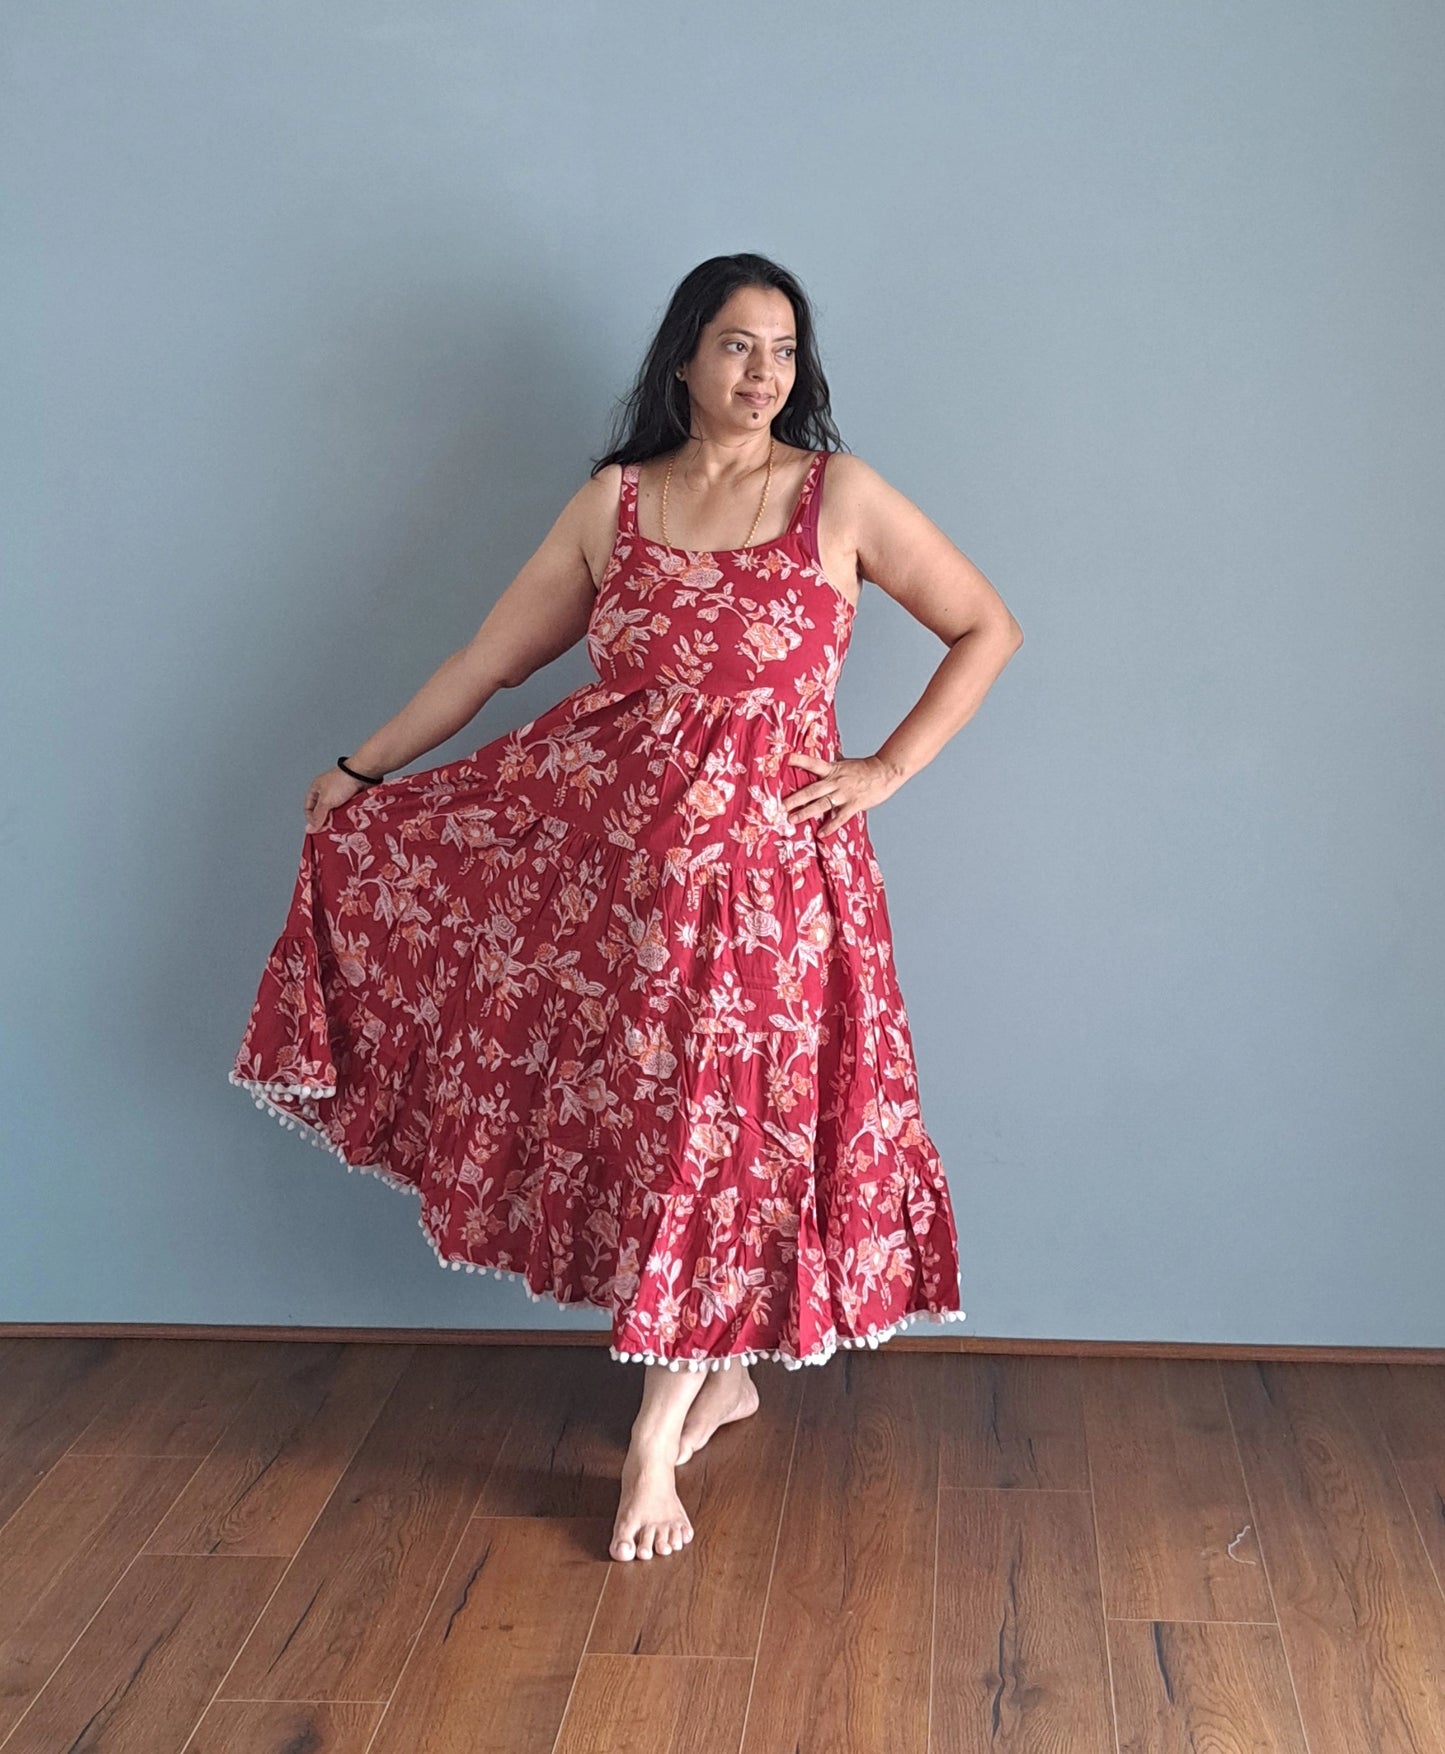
(911, 559)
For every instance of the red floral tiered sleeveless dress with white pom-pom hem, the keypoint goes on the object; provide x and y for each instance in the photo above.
(623, 1027)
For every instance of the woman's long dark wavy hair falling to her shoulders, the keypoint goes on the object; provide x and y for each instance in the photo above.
(657, 413)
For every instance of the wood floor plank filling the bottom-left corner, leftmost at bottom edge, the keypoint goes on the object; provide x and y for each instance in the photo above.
(150, 1662)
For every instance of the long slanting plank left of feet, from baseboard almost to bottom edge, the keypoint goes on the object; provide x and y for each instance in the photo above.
(357, 1594)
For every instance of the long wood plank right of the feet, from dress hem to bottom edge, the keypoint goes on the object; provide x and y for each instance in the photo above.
(846, 1646)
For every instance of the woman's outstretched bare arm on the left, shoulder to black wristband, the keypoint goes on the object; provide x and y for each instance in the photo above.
(541, 615)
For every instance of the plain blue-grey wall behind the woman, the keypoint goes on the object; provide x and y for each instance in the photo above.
(313, 322)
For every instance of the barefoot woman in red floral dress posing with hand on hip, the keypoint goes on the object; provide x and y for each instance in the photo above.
(615, 995)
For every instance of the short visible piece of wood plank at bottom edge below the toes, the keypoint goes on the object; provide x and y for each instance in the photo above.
(657, 1706)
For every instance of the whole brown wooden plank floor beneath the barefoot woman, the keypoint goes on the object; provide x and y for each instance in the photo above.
(253, 1548)
